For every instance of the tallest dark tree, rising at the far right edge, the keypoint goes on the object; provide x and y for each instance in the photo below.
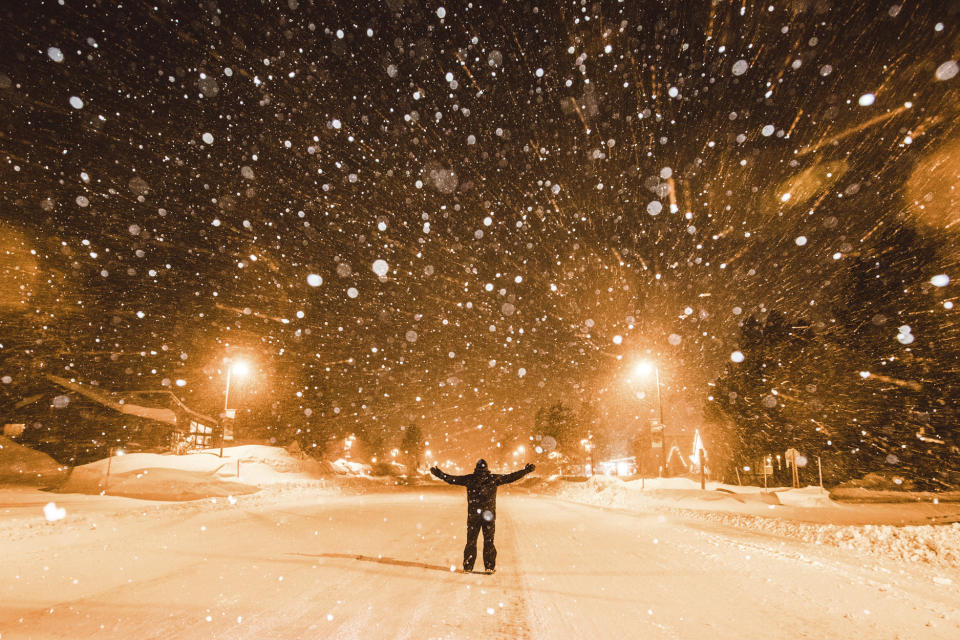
(890, 325)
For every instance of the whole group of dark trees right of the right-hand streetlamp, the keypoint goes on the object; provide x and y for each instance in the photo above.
(872, 390)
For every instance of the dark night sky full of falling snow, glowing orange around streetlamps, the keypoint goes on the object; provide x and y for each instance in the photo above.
(453, 214)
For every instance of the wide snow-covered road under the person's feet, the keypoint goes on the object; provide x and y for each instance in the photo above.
(378, 566)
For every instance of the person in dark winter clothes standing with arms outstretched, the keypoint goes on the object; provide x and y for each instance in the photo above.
(481, 508)
